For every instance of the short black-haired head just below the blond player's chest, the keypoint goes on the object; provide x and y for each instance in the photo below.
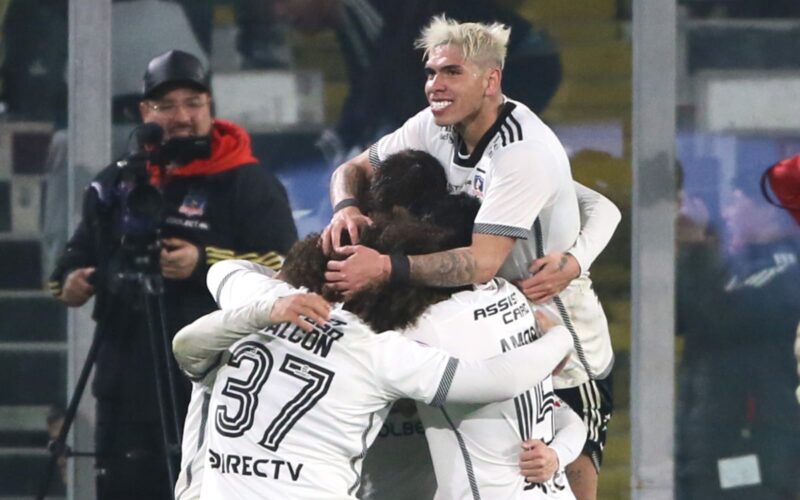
(411, 179)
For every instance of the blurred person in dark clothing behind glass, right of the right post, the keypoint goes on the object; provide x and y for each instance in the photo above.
(738, 311)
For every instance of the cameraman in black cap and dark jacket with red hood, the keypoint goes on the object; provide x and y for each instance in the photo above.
(220, 206)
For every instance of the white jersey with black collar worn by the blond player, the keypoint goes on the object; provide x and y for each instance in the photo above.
(521, 173)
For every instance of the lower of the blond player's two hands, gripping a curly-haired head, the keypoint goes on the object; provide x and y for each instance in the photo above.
(363, 268)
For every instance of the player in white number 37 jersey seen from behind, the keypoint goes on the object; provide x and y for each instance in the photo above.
(293, 413)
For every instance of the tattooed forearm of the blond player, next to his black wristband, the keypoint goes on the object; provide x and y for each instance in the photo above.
(455, 267)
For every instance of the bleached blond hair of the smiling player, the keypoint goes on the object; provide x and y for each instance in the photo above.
(481, 43)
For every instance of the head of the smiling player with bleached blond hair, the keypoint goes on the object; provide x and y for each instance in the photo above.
(463, 67)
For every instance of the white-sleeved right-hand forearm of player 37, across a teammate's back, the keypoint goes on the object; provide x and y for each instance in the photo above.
(509, 374)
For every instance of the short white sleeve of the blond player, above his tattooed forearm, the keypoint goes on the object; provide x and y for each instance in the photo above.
(520, 187)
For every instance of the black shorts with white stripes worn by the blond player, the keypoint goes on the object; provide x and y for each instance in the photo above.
(594, 403)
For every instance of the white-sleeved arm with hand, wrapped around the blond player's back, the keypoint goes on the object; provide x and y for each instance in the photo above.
(553, 272)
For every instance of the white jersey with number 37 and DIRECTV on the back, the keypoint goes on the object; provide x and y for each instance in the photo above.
(338, 381)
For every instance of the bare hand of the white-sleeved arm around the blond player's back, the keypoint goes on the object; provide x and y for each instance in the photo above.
(551, 274)
